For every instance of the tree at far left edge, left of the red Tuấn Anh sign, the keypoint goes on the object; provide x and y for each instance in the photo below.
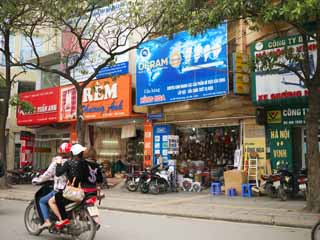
(14, 15)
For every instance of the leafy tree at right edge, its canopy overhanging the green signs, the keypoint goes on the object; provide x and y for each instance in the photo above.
(301, 16)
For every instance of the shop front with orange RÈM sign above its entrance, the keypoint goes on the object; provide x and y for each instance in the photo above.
(111, 126)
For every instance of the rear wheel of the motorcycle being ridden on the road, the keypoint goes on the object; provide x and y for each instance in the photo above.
(86, 223)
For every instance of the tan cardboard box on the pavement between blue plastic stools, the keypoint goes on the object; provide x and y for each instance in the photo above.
(235, 179)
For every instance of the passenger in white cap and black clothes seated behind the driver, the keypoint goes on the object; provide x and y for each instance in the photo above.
(88, 173)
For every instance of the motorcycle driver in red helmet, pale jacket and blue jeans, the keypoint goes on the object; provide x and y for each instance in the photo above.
(59, 182)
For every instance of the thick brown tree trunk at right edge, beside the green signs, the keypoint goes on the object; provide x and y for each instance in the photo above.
(313, 156)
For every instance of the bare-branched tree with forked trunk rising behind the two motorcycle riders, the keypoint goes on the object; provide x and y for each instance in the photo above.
(112, 31)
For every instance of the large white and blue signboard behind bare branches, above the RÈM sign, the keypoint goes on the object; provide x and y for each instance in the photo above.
(95, 55)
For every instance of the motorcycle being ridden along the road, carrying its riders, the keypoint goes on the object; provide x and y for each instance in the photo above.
(83, 216)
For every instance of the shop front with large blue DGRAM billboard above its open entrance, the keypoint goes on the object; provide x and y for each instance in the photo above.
(197, 124)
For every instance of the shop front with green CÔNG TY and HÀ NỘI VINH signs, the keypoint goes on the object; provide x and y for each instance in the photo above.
(282, 97)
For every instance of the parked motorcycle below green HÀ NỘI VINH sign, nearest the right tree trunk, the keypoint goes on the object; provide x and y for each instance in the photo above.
(291, 185)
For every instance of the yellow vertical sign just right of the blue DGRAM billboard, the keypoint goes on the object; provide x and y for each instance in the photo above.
(240, 73)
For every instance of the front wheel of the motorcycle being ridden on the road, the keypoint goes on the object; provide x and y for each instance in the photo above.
(32, 220)
